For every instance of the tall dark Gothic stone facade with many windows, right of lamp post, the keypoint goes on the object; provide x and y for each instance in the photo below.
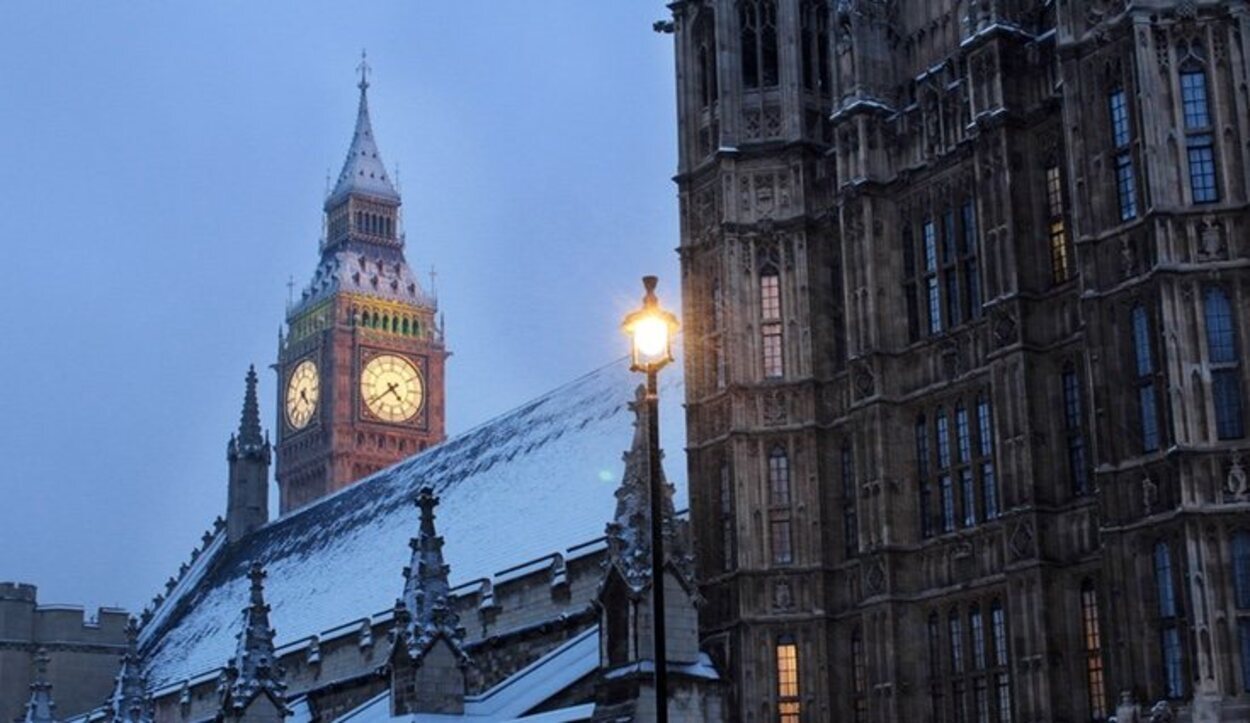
(964, 293)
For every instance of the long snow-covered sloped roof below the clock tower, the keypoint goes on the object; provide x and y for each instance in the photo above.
(533, 482)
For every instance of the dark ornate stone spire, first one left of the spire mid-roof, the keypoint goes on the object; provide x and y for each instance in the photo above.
(253, 671)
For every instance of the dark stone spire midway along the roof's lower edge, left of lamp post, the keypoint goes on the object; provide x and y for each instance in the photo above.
(426, 610)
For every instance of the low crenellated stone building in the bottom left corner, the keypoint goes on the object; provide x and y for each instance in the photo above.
(79, 655)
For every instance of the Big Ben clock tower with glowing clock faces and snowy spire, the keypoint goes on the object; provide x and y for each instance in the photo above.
(361, 362)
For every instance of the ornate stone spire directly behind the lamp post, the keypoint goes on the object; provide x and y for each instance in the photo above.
(629, 535)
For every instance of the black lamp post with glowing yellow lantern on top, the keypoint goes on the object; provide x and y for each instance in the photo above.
(651, 331)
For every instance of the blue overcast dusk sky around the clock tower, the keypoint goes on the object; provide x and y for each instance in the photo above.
(163, 174)
